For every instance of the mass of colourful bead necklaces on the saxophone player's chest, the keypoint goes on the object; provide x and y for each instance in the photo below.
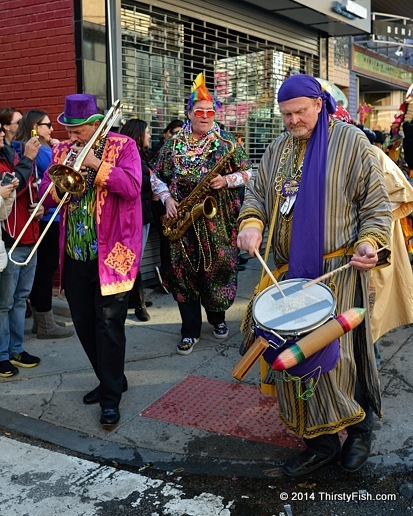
(190, 154)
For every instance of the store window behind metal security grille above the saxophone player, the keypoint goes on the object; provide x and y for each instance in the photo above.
(163, 51)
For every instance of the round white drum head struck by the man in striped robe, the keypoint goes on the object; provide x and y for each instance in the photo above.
(299, 312)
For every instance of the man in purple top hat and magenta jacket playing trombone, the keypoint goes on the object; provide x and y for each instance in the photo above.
(100, 240)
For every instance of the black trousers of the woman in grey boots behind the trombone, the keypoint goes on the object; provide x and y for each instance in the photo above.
(47, 262)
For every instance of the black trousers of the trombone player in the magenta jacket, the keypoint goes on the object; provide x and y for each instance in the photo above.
(100, 325)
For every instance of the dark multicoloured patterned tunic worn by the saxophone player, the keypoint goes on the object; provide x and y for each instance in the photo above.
(203, 261)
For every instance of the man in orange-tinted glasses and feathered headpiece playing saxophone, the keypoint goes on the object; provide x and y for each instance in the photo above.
(196, 176)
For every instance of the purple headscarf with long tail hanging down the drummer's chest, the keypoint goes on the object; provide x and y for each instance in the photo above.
(307, 236)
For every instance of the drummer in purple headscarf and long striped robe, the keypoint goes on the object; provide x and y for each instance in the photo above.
(320, 188)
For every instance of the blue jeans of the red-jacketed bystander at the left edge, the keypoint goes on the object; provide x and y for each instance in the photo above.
(15, 286)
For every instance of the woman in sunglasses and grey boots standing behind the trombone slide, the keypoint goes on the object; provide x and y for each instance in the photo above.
(37, 121)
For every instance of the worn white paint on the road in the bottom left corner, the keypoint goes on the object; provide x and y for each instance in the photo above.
(41, 482)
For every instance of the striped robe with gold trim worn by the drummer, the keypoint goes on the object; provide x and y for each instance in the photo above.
(356, 203)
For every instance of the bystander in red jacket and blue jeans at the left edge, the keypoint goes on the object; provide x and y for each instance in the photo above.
(15, 281)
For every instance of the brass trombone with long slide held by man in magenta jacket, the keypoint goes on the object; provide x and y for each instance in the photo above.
(67, 177)
